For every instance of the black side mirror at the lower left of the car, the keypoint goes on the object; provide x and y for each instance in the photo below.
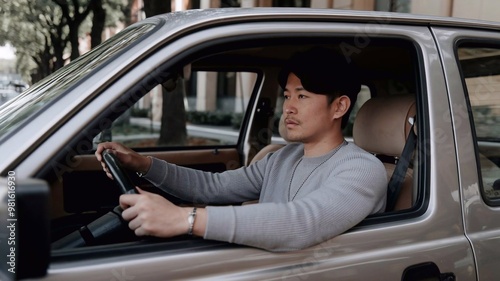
(24, 228)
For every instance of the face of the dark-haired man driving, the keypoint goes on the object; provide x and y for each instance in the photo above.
(307, 116)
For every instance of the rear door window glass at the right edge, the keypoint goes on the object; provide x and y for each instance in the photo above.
(481, 70)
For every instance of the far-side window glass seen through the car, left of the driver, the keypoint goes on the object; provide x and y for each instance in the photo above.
(205, 108)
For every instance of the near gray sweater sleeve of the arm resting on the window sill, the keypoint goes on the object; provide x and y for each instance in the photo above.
(350, 193)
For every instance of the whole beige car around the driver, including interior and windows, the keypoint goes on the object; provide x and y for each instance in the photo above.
(433, 80)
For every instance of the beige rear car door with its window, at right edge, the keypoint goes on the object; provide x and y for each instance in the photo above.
(471, 62)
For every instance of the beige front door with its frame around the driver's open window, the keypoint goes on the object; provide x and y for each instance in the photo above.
(428, 236)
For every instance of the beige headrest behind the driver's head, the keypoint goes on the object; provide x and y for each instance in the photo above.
(382, 124)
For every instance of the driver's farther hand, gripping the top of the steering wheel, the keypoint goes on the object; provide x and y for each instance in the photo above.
(129, 159)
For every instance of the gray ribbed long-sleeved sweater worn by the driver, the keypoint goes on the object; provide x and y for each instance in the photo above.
(302, 201)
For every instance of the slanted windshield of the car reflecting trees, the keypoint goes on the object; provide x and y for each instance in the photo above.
(21, 108)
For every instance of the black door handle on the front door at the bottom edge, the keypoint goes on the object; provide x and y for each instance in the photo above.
(426, 271)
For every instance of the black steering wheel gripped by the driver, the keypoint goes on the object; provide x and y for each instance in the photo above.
(107, 224)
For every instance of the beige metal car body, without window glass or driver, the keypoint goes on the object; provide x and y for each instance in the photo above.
(449, 227)
